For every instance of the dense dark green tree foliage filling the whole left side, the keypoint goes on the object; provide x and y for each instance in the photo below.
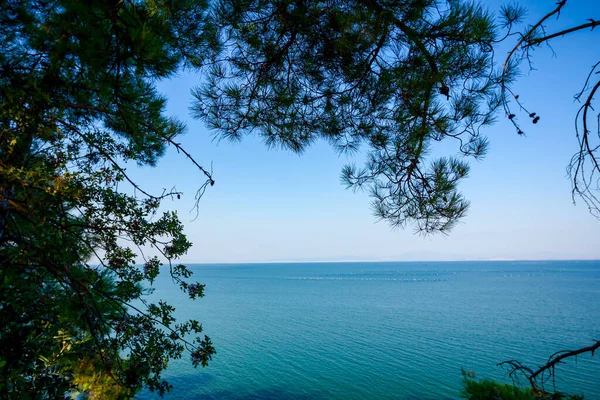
(77, 104)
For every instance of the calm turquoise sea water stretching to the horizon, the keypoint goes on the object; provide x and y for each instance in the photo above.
(385, 330)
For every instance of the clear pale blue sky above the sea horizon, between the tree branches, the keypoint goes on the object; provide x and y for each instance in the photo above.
(272, 205)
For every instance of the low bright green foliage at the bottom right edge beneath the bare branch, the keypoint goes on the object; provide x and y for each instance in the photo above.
(486, 389)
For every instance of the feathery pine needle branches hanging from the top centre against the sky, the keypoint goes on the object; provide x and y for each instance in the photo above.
(397, 77)
